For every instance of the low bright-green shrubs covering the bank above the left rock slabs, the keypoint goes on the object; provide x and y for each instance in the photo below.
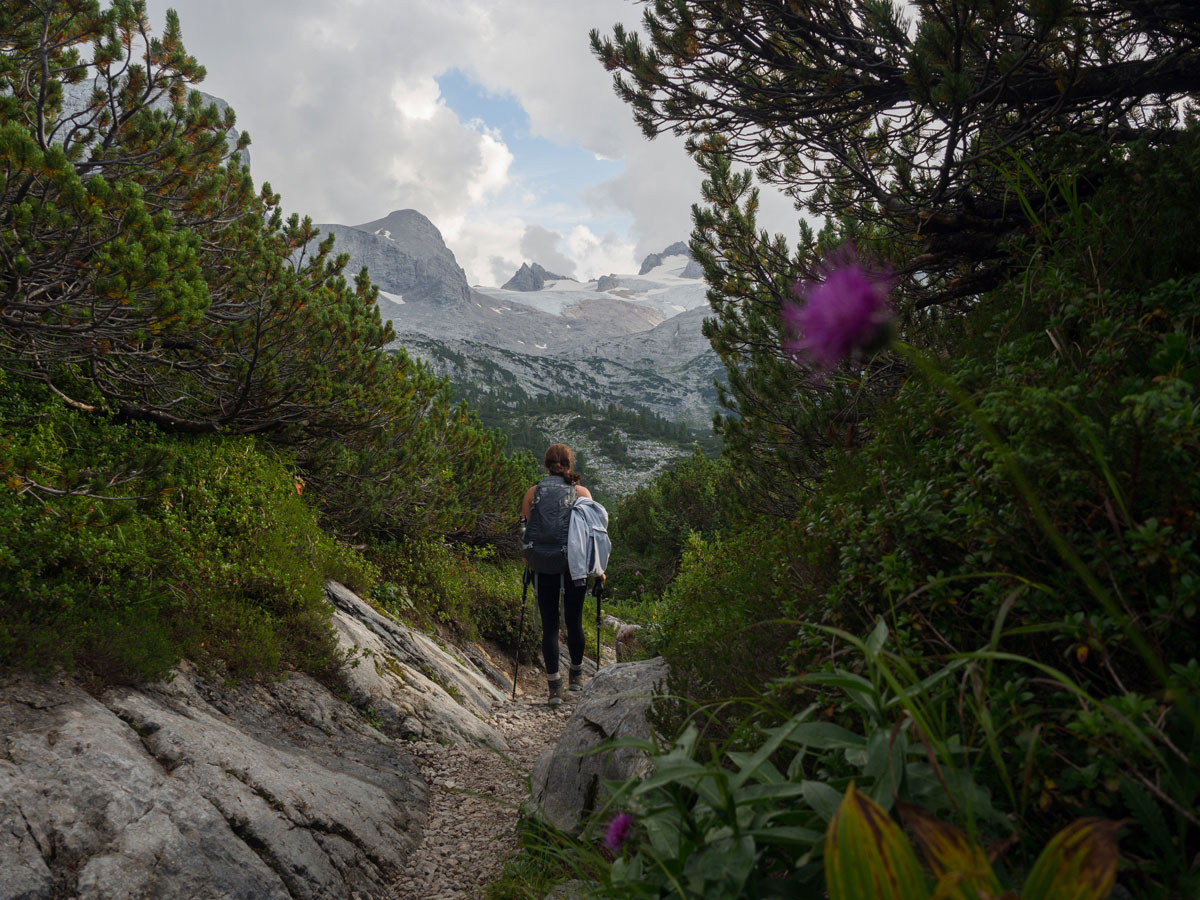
(124, 550)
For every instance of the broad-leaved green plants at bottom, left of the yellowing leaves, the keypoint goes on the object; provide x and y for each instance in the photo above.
(747, 815)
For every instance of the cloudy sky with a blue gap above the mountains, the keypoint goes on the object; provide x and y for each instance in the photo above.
(493, 118)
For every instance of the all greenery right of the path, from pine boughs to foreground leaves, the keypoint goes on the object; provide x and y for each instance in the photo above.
(957, 574)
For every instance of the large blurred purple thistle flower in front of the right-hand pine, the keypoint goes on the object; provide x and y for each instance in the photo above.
(845, 311)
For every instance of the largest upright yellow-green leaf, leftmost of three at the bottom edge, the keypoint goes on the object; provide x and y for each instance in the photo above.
(867, 856)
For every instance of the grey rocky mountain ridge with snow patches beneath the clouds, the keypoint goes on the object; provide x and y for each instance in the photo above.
(628, 339)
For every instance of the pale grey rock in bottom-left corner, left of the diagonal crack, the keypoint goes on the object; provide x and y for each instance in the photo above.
(89, 814)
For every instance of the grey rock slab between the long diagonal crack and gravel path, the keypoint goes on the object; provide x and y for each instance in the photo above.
(327, 814)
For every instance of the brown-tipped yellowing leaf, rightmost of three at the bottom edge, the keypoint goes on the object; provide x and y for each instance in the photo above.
(1079, 863)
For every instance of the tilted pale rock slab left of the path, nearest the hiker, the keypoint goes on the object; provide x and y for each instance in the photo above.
(412, 686)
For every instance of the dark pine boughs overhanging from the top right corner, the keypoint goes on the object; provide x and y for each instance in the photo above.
(910, 117)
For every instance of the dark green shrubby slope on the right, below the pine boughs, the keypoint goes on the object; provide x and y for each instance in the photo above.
(1065, 619)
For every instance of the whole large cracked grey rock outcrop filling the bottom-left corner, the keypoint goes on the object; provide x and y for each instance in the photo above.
(188, 790)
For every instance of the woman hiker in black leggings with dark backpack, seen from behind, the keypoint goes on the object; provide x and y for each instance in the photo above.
(547, 513)
